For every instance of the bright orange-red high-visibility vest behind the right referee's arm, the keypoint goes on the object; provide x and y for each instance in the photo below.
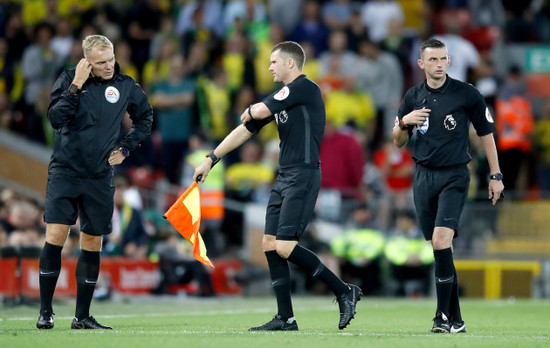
(515, 123)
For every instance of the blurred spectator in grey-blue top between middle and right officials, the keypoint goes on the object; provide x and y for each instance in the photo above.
(379, 74)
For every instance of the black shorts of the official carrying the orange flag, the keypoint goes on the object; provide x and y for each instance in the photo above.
(292, 202)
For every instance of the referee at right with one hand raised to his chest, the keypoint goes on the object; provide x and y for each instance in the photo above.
(442, 109)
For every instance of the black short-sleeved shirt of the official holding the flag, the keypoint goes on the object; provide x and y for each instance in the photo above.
(299, 110)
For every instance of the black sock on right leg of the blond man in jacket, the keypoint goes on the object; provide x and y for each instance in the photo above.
(87, 272)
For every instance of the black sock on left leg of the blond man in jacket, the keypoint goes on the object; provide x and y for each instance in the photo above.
(49, 267)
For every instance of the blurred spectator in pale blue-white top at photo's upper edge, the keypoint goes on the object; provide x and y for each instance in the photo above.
(376, 15)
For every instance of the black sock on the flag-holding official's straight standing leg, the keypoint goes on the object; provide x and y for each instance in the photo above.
(280, 280)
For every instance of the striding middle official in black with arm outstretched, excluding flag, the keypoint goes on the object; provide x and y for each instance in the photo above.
(299, 110)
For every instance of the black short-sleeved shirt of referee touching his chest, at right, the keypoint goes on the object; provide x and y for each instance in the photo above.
(443, 140)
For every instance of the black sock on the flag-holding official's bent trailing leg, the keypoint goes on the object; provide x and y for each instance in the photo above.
(310, 263)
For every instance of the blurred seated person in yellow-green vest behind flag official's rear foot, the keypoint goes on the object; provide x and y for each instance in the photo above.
(360, 248)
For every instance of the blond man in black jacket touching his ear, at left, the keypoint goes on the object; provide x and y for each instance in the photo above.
(87, 105)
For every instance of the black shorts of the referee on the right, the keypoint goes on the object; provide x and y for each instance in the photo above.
(439, 197)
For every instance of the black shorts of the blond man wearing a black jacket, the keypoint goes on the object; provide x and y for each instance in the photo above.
(69, 197)
